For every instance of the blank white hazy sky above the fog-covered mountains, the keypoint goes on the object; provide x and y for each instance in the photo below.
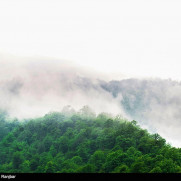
(137, 38)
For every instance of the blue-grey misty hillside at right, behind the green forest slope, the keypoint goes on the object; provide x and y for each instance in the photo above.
(154, 103)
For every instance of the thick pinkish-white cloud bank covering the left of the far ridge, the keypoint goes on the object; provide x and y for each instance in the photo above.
(35, 87)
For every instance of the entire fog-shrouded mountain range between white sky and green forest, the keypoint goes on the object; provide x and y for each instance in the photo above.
(31, 90)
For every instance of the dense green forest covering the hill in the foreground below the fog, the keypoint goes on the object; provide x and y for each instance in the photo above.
(81, 142)
